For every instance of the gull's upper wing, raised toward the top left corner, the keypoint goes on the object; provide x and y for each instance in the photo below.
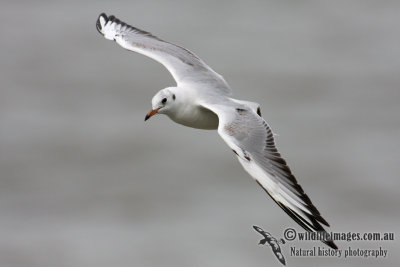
(185, 66)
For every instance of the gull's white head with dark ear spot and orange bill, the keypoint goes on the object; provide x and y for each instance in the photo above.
(162, 103)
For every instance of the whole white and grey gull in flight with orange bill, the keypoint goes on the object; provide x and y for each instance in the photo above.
(202, 100)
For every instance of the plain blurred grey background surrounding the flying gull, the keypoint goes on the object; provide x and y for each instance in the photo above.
(85, 182)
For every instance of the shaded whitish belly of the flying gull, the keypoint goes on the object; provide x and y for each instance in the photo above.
(197, 117)
